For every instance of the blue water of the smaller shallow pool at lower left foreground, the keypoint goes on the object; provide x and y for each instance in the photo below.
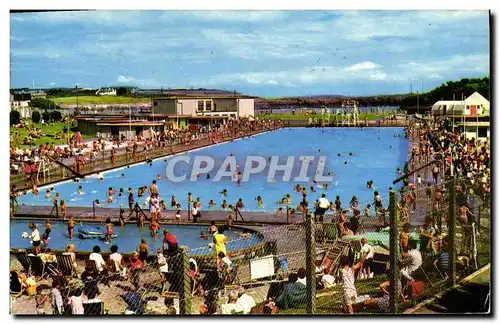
(128, 237)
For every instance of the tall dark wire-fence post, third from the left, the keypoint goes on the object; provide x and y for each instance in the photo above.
(394, 253)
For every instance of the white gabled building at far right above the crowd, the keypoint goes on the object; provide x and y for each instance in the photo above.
(472, 115)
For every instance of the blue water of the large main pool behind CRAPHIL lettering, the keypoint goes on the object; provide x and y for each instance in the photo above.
(377, 153)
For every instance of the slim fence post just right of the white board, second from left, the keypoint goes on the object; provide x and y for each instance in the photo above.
(310, 265)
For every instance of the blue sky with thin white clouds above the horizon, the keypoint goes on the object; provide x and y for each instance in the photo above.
(263, 53)
